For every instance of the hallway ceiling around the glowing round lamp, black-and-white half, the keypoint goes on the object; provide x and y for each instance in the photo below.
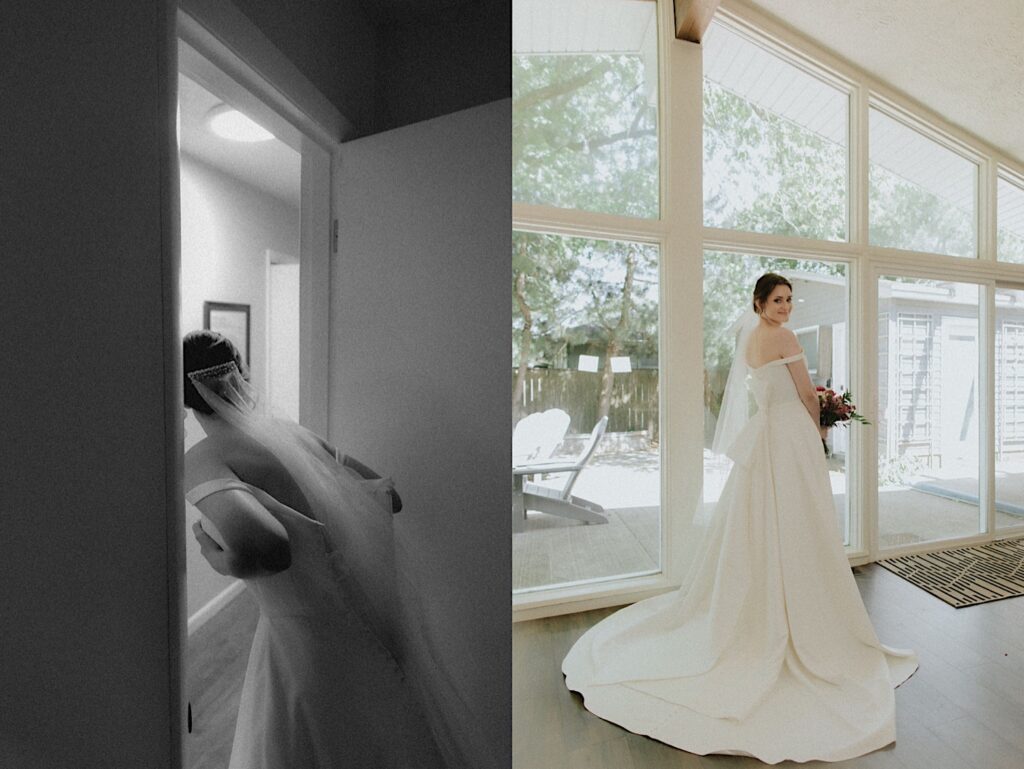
(271, 166)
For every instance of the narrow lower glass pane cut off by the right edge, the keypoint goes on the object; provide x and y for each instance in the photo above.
(1009, 408)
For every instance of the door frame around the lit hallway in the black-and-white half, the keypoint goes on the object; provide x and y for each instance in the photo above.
(217, 39)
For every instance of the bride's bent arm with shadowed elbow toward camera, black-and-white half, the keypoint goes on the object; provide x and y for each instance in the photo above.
(255, 544)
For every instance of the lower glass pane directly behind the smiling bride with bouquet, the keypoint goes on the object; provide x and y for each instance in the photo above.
(820, 319)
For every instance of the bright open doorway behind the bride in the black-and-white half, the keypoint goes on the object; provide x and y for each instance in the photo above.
(255, 249)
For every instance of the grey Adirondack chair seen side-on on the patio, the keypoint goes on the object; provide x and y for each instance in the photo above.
(557, 500)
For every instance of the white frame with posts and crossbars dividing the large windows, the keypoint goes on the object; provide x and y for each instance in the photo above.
(684, 240)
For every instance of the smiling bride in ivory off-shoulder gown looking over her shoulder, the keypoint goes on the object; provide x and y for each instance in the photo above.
(766, 650)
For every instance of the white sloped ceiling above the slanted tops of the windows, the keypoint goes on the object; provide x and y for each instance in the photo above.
(964, 61)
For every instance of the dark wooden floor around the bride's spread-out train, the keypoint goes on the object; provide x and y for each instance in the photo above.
(964, 709)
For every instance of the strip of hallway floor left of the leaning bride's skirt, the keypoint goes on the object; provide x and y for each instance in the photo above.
(216, 666)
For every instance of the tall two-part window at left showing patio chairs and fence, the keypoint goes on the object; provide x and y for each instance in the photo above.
(586, 309)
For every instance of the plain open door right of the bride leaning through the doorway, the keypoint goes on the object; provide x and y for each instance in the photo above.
(420, 392)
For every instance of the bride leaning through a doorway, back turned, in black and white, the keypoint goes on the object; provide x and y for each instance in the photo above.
(311, 534)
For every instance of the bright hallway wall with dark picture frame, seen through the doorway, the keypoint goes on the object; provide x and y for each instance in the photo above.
(227, 229)
